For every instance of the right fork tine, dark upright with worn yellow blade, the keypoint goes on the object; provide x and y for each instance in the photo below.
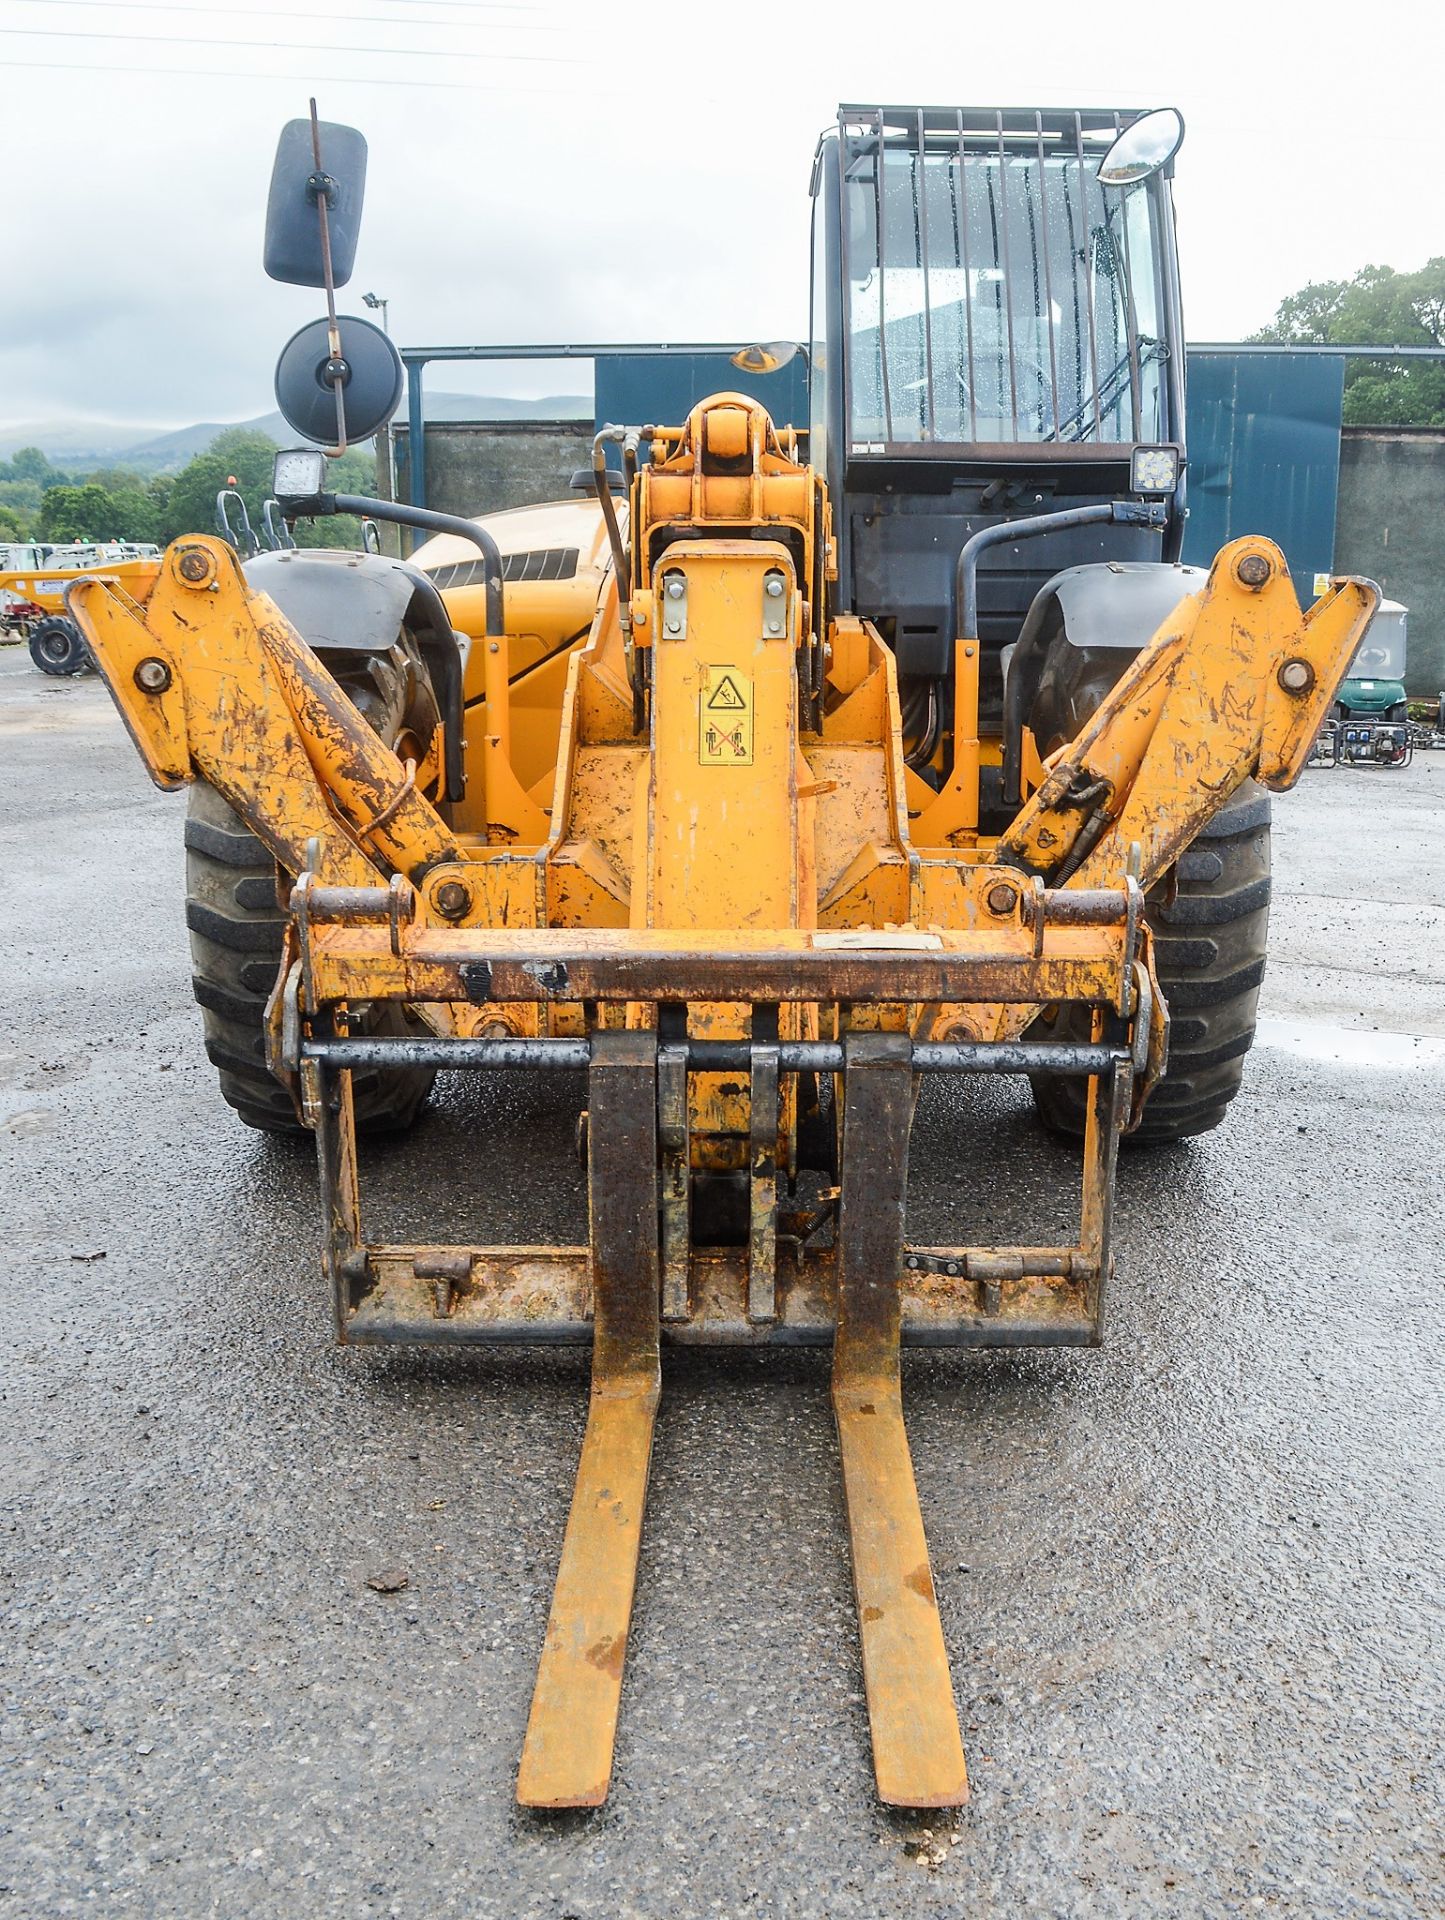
(918, 1752)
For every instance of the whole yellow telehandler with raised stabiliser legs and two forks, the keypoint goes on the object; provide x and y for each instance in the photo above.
(757, 796)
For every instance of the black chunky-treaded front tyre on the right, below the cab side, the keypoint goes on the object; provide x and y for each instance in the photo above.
(1210, 938)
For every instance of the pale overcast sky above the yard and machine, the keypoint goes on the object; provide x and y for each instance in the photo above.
(628, 170)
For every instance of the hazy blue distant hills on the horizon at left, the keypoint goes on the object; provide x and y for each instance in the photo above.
(153, 450)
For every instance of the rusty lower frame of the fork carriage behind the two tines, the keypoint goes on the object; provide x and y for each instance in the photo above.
(719, 1297)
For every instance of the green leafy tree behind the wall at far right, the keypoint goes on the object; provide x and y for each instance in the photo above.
(1377, 308)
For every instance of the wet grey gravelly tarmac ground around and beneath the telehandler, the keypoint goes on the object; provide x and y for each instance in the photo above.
(1191, 1585)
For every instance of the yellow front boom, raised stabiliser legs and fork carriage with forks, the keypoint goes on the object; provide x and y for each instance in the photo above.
(713, 934)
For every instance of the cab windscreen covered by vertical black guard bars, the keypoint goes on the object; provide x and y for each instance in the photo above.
(999, 299)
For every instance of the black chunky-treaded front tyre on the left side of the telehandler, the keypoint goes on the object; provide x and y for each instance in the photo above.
(237, 928)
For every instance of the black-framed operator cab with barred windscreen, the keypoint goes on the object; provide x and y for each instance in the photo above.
(995, 335)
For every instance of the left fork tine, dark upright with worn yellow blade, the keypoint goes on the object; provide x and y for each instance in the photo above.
(567, 1758)
